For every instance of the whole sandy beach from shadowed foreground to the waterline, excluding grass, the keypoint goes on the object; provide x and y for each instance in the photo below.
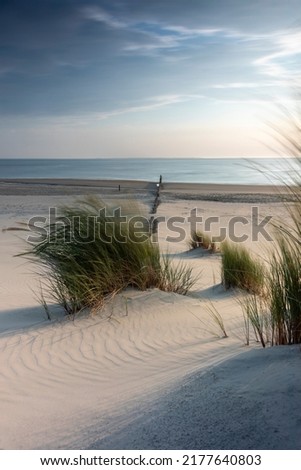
(150, 369)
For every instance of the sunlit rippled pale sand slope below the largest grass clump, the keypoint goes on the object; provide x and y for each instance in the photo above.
(69, 372)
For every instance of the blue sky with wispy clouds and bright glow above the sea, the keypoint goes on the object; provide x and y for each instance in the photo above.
(135, 78)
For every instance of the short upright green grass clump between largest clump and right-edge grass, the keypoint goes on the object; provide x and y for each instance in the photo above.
(240, 269)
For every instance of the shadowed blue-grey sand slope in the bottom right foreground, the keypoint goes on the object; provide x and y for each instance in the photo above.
(247, 402)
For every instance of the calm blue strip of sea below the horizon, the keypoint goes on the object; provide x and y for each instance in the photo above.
(190, 170)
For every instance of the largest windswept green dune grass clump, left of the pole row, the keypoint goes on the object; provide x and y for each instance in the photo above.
(90, 253)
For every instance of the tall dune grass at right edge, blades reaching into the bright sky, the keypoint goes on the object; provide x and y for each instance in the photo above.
(285, 263)
